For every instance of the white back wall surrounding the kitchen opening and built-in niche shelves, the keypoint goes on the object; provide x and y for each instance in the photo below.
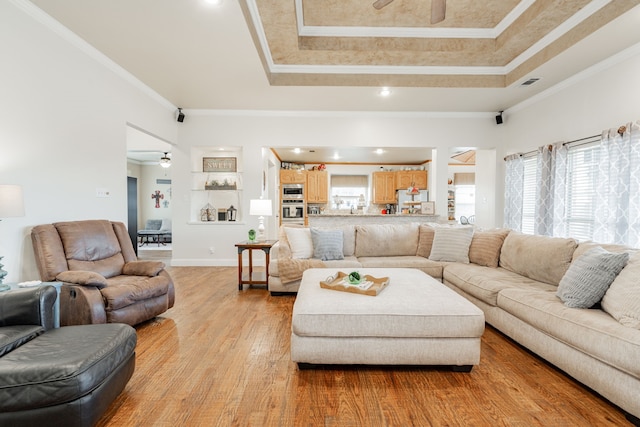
(255, 130)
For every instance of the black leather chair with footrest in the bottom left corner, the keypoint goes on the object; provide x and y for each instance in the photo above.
(58, 377)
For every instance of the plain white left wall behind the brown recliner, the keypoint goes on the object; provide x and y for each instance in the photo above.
(63, 119)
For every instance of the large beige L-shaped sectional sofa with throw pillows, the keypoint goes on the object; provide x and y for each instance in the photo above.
(515, 279)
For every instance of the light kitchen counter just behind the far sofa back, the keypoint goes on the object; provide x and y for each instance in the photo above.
(334, 219)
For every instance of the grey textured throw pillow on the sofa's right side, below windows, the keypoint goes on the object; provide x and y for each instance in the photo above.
(589, 276)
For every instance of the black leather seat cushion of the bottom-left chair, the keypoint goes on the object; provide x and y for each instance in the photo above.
(31, 379)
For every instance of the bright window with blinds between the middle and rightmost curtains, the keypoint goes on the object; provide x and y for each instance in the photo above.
(582, 175)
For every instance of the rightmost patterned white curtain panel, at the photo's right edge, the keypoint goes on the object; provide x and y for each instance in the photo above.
(618, 190)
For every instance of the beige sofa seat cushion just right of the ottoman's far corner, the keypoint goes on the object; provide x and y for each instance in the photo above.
(486, 283)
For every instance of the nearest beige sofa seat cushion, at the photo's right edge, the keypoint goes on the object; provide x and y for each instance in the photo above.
(591, 331)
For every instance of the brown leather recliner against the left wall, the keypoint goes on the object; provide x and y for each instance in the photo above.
(103, 281)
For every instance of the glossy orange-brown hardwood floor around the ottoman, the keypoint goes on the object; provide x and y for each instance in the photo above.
(220, 357)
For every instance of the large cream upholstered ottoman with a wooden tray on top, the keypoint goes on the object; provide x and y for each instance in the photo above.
(415, 320)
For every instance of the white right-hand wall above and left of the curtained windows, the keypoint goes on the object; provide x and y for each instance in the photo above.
(600, 98)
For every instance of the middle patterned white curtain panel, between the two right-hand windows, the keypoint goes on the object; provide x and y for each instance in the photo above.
(551, 181)
